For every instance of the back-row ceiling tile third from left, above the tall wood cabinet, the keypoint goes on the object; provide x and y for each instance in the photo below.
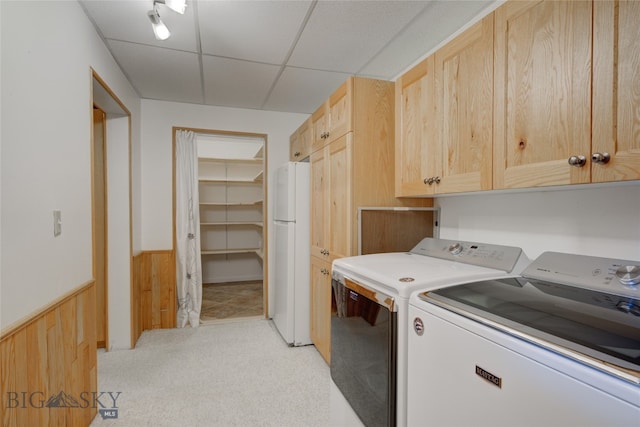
(300, 90)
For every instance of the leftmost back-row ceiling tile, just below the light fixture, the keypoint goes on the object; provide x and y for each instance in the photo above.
(157, 73)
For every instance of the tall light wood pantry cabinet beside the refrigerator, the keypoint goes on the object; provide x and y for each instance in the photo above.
(351, 167)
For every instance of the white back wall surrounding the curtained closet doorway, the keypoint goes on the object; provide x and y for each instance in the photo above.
(158, 118)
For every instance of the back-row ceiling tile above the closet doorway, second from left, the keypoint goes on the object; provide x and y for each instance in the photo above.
(234, 83)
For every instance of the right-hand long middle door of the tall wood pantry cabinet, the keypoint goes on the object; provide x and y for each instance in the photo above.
(339, 200)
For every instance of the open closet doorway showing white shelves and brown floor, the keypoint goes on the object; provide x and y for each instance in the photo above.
(232, 194)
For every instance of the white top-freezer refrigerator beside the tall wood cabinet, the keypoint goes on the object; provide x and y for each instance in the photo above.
(292, 244)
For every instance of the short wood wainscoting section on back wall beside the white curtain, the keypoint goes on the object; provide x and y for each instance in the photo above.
(154, 292)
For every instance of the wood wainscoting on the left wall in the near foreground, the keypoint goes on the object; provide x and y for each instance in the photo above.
(49, 374)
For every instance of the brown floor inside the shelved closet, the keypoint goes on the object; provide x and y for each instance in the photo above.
(231, 300)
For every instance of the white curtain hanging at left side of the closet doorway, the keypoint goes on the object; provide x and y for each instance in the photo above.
(189, 267)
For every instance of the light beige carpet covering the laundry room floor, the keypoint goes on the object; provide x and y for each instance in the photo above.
(239, 373)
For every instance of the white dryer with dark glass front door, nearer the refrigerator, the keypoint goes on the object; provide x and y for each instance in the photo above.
(372, 292)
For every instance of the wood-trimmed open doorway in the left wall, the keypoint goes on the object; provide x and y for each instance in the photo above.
(112, 227)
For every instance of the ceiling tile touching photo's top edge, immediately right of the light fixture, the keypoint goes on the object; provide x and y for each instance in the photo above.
(261, 31)
